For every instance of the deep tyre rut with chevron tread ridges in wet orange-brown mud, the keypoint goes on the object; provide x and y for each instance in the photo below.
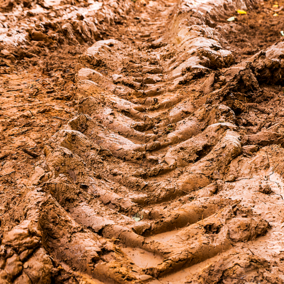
(155, 180)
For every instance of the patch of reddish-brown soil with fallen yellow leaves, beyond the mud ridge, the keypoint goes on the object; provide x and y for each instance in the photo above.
(255, 32)
